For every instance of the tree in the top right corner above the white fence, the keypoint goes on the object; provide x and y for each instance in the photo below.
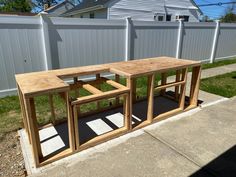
(230, 14)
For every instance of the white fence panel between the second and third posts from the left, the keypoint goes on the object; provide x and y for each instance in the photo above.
(150, 39)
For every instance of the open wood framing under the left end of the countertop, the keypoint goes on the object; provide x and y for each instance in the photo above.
(32, 129)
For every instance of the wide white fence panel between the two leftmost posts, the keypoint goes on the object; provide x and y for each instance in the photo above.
(79, 43)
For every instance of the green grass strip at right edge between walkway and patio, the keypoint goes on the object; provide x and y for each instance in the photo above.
(224, 85)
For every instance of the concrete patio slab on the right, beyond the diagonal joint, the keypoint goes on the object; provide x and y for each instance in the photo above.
(204, 136)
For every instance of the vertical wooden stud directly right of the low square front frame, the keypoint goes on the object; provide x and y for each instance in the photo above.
(130, 103)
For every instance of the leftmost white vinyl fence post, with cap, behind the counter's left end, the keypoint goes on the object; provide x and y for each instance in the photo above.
(46, 42)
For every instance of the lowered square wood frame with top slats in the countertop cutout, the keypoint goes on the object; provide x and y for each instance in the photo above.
(96, 96)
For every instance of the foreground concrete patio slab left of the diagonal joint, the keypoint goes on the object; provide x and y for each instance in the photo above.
(139, 156)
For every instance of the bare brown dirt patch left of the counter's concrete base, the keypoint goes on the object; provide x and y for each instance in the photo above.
(12, 162)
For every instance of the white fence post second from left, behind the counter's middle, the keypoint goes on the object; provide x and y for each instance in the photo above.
(128, 39)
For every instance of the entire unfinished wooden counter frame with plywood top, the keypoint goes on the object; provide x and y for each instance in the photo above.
(51, 82)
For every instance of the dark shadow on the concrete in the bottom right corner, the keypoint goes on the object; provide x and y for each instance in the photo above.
(223, 166)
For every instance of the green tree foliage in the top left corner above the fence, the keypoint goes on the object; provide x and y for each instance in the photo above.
(15, 6)
